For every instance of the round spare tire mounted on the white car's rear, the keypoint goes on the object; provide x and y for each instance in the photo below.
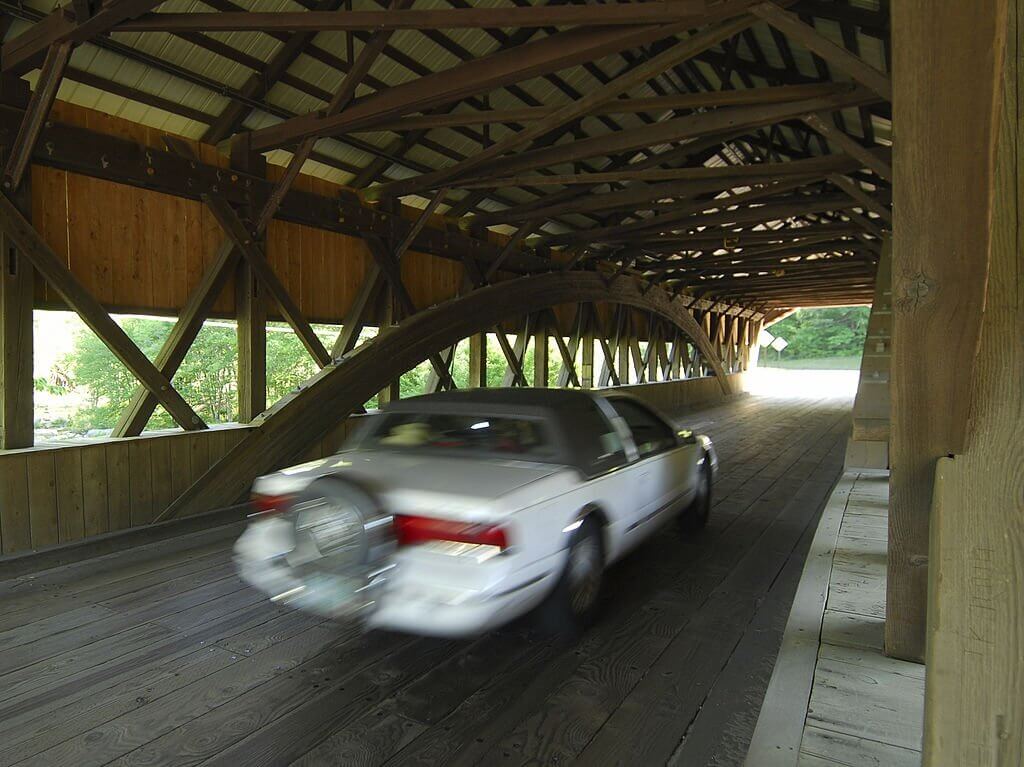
(344, 546)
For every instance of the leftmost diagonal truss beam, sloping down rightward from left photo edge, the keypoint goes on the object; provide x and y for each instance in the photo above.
(79, 300)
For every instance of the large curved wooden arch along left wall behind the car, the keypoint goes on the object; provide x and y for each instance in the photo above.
(301, 419)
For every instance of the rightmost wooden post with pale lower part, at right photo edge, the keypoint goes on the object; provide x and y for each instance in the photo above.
(974, 701)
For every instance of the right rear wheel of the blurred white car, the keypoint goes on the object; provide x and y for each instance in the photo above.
(573, 607)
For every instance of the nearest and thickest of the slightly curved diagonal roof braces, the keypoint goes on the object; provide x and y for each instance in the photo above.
(480, 76)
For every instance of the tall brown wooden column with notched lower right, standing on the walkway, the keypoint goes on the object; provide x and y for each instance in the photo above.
(948, 64)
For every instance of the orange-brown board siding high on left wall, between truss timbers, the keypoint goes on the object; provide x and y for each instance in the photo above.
(138, 250)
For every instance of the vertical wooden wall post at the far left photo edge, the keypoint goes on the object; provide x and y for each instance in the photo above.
(17, 387)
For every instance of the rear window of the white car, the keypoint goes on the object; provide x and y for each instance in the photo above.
(526, 439)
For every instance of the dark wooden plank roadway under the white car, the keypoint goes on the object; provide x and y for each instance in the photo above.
(161, 656)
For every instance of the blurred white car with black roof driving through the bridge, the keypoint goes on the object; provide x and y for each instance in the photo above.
(454, 514)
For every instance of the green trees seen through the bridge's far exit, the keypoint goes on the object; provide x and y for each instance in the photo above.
(823, 333)
